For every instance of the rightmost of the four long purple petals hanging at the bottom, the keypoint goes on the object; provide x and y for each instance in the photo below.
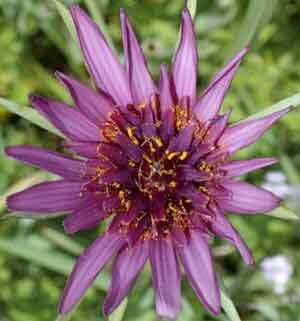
(197, 261)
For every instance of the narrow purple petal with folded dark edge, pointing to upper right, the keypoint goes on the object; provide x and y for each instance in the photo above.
(211, 101)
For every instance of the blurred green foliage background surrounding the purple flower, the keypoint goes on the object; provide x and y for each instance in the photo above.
(34, 42)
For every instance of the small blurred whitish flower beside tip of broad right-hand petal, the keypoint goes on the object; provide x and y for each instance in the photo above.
(276, 182)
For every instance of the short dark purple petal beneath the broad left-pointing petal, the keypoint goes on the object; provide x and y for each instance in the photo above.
(87, 215)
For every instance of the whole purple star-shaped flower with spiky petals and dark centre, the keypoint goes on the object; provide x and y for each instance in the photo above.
(155, 160)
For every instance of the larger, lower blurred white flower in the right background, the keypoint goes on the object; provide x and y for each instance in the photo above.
(278, 270)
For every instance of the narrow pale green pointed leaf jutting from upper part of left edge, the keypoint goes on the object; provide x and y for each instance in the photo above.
(29, 114)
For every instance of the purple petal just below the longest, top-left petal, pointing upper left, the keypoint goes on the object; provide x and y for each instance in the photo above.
(95, 106)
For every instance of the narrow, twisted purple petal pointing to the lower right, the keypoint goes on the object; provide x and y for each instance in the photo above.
(222, 227)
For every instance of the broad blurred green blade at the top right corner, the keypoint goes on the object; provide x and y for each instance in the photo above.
(258, 14)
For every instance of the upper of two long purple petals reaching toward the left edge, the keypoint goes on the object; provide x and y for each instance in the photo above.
(48, 160)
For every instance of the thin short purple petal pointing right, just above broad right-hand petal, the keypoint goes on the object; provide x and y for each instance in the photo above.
(237, 168)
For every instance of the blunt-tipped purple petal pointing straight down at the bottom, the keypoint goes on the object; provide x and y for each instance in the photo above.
(166, 278)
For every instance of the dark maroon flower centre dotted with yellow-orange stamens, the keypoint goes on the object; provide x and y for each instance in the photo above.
(154, 174)
